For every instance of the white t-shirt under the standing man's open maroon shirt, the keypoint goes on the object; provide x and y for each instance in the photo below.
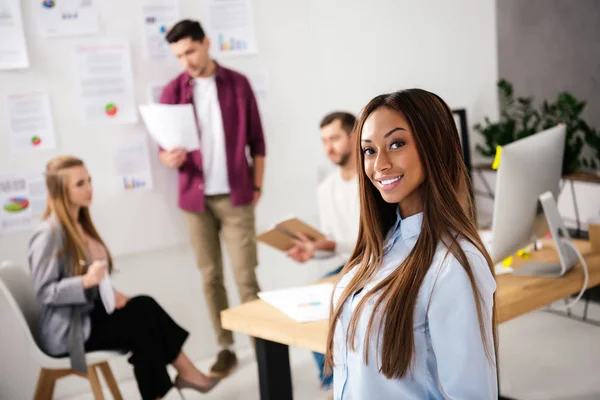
(212, 136)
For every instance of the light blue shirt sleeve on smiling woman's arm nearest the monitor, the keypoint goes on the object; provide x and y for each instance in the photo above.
(464, 369)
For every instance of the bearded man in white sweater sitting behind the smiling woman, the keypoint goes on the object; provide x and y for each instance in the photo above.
(339, 205)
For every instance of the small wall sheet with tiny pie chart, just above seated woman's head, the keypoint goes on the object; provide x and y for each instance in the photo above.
(30, 122)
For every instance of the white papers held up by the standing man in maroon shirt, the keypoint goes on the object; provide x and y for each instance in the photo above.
(171, 126)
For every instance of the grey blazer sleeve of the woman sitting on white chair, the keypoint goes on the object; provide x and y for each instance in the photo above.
(45, 264)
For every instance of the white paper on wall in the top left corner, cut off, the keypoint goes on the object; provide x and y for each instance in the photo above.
(13, 50)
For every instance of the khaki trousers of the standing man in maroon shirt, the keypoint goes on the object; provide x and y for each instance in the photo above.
(237, 228)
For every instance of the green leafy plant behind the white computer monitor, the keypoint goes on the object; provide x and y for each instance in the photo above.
(519, 118)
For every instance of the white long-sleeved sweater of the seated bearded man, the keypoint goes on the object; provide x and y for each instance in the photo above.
(339, 212)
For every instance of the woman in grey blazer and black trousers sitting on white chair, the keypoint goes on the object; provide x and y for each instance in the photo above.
(68, 260)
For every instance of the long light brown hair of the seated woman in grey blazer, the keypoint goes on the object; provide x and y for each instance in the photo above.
(74, 244)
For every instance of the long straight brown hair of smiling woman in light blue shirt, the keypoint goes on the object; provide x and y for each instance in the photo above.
(448, 216)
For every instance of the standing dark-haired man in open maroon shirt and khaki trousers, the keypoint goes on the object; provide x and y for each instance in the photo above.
(218, 186)
